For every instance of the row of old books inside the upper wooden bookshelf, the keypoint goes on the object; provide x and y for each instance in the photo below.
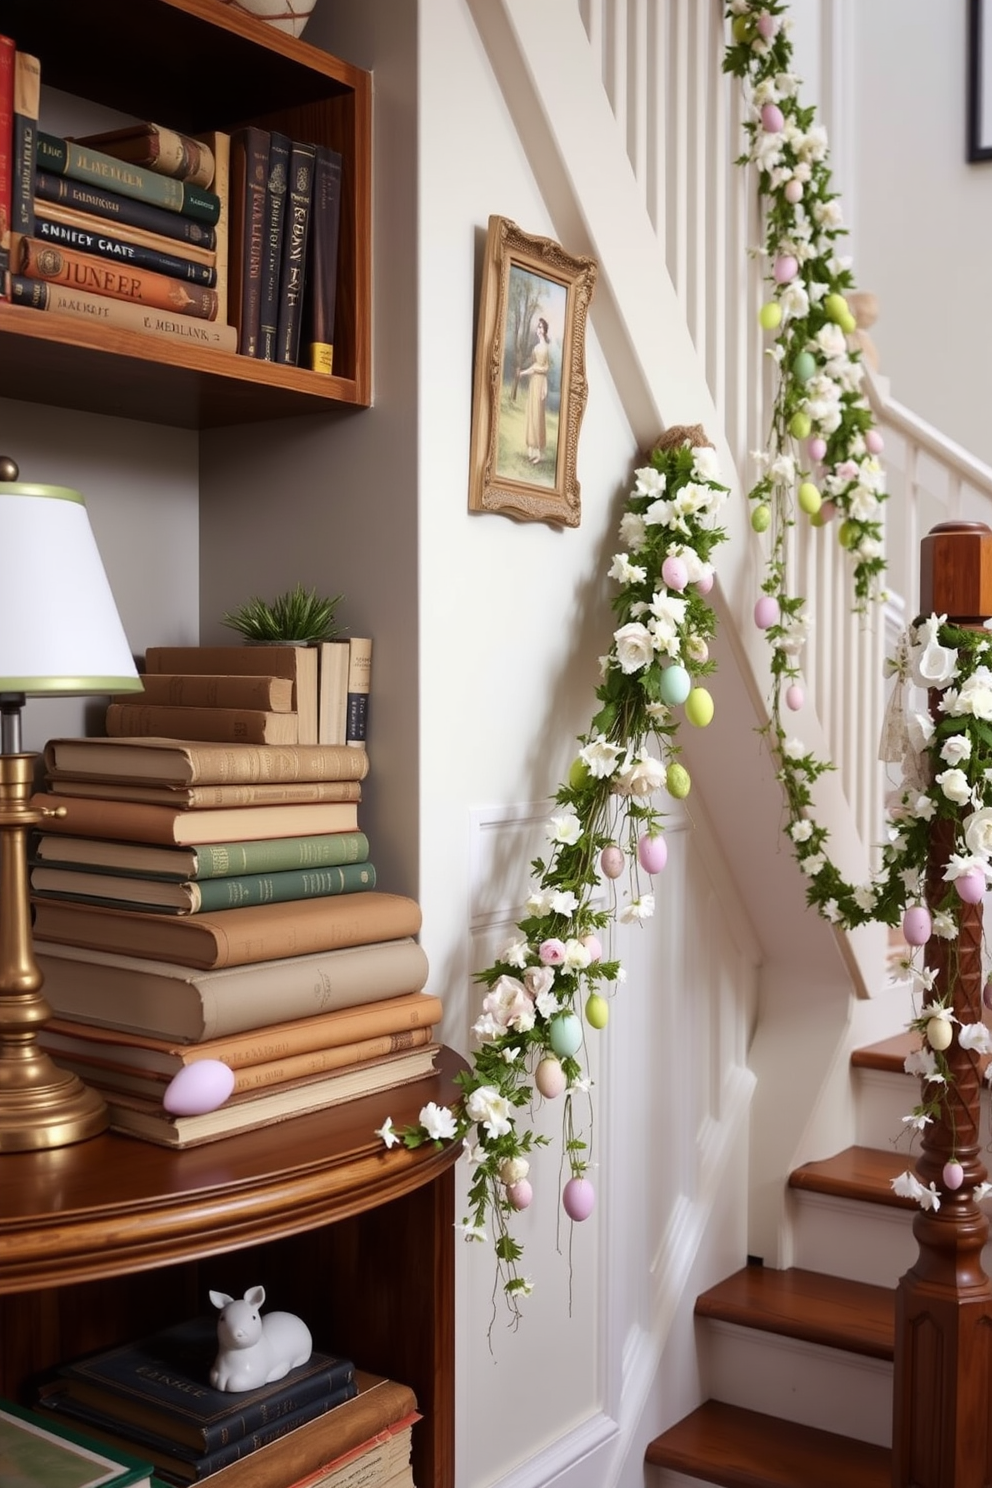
(227, 240)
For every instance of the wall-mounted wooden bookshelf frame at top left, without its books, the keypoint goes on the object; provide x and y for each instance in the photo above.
(196, 66)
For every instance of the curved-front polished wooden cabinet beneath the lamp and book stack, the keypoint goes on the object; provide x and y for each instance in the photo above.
(114, 1237)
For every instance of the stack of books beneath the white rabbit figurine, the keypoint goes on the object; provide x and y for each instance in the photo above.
(323, 1423)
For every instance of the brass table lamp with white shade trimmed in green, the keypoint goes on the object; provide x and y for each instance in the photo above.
(60, 636)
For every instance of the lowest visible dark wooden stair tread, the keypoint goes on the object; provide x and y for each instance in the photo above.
(737, 1449)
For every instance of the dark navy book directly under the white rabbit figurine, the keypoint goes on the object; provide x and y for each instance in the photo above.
(161, 1386)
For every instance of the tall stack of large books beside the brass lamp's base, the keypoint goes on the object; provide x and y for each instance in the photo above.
(204, 902)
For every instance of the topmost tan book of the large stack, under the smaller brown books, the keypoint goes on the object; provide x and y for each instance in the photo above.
(179, 763)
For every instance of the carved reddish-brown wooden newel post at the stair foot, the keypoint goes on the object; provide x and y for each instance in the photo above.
(942, 1428)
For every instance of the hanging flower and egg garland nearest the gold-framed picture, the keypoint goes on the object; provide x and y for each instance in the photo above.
(553, 984)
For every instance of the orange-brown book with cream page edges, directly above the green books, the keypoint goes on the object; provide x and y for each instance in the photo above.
(135, 822)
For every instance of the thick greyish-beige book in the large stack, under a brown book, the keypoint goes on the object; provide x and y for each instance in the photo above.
(178, 1002)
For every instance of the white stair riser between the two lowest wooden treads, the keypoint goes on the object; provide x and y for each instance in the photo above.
(798, 1382)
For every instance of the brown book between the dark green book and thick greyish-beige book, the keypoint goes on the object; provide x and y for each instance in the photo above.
(231, 937)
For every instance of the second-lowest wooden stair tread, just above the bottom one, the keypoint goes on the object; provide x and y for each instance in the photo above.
(808, 1306)
